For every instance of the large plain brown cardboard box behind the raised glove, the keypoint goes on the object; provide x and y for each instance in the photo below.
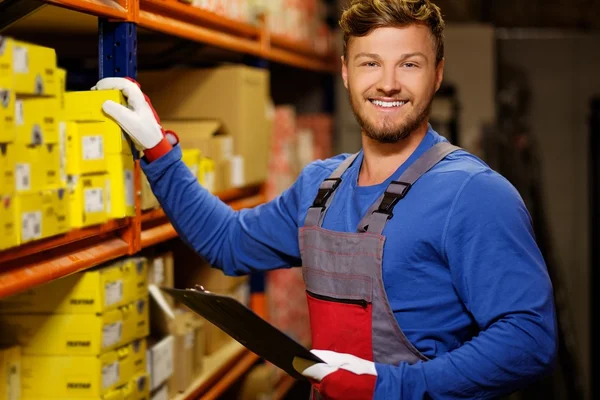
(234, 94)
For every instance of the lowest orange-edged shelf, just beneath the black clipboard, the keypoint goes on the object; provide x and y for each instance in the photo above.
(220, 370)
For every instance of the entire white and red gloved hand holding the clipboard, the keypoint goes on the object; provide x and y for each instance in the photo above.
(342, 376)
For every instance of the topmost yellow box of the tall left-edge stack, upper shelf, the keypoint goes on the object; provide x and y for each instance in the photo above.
(32, 67)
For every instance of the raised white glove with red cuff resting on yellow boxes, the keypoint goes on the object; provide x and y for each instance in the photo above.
(139, 121)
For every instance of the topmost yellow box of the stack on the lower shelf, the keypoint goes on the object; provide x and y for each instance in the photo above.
(89, 292)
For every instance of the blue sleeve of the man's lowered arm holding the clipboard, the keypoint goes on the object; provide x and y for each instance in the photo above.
(501, 277)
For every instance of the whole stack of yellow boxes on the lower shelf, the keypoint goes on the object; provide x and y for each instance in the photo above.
(83, 336)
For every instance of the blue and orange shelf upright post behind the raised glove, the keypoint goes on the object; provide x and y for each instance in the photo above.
(117, 52)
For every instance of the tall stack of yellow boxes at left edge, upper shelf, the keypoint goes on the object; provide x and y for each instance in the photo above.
(33, 204)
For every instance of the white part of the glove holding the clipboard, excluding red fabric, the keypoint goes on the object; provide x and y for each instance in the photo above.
(335, 361)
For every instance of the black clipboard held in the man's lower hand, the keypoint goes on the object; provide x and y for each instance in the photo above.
(253, 332)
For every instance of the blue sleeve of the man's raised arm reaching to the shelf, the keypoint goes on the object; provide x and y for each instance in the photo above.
(238, 242)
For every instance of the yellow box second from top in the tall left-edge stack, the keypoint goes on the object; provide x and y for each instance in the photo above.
(36, 120)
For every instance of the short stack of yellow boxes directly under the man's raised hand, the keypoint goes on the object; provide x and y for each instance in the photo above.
(99, 160)
